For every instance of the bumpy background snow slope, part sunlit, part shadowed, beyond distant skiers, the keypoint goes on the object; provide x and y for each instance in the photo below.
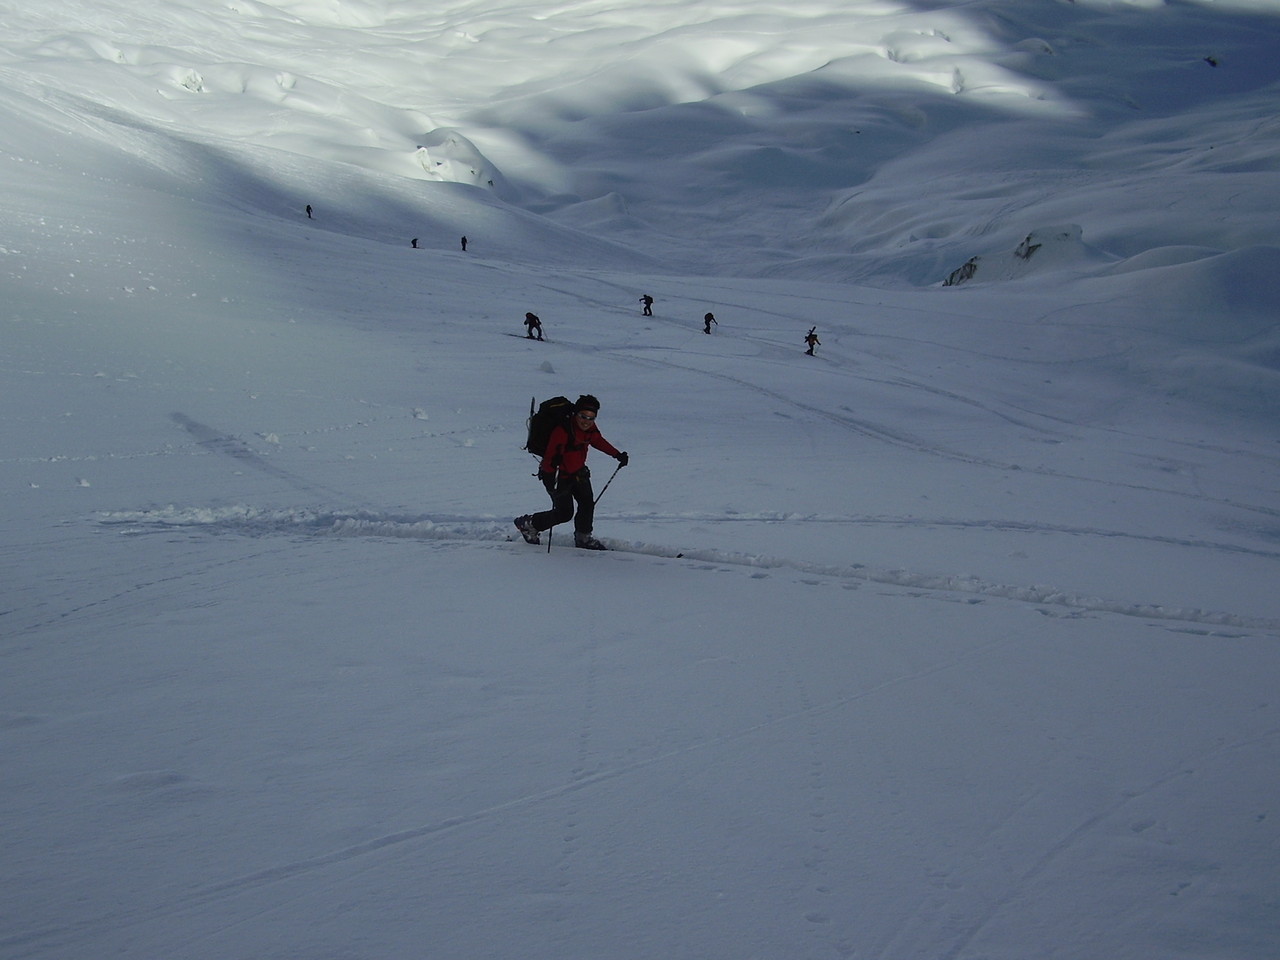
(816, 120)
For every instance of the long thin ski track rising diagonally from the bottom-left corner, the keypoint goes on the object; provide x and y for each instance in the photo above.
(273, 876)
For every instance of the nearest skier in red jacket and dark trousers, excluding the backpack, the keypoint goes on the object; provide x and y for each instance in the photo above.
(568, 479)
